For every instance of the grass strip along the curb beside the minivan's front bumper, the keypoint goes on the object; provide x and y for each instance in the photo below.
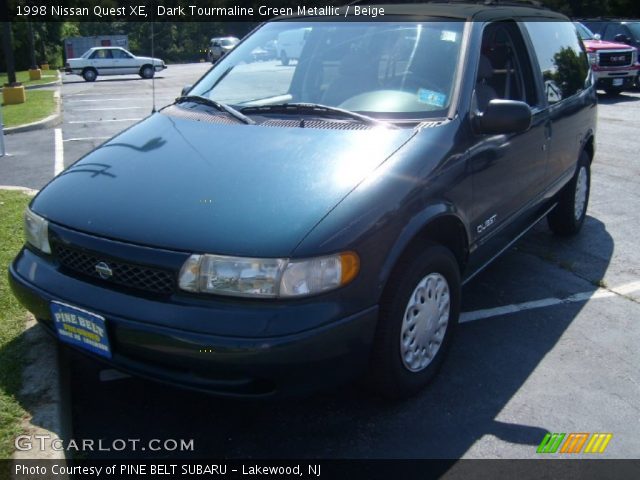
(12, 321)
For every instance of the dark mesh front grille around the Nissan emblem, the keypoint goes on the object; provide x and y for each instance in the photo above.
(125, 274)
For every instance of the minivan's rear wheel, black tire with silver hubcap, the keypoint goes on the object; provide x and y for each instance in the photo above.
(568, 216)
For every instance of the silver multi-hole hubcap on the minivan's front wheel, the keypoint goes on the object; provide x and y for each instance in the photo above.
(425, 322)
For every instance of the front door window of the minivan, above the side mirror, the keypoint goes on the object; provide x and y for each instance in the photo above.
(505, 70)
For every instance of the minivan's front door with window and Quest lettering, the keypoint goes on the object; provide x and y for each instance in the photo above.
(508, 171)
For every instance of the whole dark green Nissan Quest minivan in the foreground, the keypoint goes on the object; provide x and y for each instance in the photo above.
(281, 228)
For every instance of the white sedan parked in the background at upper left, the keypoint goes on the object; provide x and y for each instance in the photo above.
(112, 61)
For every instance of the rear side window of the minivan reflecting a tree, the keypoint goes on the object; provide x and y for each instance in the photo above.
(562, 59)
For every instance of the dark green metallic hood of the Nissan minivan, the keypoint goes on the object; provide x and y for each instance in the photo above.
(195, 186)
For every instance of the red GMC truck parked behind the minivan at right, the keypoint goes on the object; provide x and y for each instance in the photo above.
(614, 65)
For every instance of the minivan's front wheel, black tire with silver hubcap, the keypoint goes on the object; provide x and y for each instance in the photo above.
(412, 295)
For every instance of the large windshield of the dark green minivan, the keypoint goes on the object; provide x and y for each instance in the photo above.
(394, 70)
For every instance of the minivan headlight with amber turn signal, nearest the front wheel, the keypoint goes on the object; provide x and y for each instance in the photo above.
(267, 277)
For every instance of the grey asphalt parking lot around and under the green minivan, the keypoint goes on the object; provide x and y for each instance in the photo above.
(549, 340)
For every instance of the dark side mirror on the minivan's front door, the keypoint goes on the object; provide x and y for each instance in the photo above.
(504, 116)
